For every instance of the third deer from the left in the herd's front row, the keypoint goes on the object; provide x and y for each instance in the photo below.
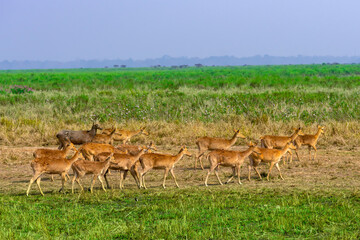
(125, 163)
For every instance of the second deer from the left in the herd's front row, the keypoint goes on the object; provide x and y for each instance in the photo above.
(83, 167)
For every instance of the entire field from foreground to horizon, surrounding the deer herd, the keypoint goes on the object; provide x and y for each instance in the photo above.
(317, 199)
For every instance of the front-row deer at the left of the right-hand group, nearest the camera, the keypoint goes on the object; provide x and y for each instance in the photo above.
(226, 158)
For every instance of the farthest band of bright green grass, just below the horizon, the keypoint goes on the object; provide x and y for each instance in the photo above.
(342, 76)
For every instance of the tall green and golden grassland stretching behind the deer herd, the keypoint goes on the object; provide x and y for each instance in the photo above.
(213, 100)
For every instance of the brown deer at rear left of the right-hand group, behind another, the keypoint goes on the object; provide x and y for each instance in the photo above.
(210, 143)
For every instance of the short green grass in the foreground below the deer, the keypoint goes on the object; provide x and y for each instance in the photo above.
(197, 213)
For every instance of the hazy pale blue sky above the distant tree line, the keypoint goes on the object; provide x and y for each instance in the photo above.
(103, 29)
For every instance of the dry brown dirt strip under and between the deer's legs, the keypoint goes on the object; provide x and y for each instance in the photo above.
(333, 169)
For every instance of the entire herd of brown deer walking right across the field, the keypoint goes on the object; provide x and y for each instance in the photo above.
(98, 156)
